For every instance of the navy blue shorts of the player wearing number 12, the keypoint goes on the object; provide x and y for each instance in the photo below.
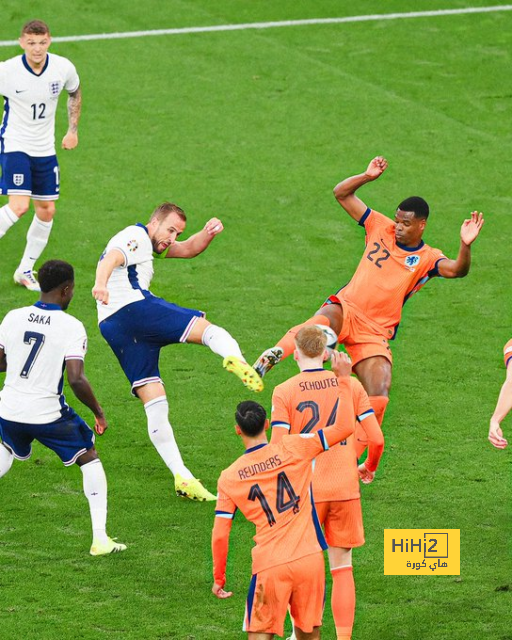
(25, 175)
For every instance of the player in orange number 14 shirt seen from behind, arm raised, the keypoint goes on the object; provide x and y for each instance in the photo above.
(271, 485)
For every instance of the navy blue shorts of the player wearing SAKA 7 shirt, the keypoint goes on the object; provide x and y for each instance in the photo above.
(68, 436)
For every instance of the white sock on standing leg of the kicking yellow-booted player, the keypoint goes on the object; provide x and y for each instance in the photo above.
(162, 436)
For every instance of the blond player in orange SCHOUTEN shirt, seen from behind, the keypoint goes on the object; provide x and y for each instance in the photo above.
(309, 402)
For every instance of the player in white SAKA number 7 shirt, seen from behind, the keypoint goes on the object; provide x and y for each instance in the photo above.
(36, 344)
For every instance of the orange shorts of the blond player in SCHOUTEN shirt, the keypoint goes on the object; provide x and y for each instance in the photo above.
(342, 521)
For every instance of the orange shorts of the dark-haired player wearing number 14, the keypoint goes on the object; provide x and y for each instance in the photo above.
(299, 584)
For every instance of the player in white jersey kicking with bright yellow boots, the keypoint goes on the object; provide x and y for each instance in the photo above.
(136, 324)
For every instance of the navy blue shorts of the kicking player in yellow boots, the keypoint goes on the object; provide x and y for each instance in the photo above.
(137, 332)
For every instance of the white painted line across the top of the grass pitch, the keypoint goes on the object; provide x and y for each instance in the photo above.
(272, 25)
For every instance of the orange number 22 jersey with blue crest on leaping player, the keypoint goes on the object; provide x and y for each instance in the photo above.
(388, 273)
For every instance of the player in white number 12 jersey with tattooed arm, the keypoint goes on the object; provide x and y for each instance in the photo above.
(31, 84)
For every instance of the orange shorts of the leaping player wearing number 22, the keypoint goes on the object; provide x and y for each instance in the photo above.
(360, 337)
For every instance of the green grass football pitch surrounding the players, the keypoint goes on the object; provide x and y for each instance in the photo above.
(256, 128)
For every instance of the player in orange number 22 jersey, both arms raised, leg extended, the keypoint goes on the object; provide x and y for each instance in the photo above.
(396, 263)
